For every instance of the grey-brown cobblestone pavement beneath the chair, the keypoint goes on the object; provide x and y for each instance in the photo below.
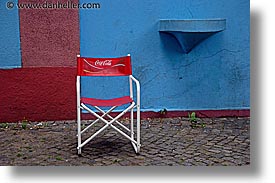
(170, 141)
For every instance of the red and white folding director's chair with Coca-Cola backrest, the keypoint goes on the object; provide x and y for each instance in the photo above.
(108, 67)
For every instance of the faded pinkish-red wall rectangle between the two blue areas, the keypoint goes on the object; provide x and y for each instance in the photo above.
(49, 37)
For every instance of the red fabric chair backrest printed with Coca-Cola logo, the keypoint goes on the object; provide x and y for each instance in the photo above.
(104, 66)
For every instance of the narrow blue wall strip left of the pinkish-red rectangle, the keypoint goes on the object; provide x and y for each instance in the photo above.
(10, 56)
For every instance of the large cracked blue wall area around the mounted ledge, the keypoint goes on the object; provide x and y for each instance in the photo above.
(214, 75)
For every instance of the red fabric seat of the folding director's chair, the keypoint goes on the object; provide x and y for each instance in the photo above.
(107, 102)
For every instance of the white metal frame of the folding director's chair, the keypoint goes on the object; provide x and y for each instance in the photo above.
(81, 106)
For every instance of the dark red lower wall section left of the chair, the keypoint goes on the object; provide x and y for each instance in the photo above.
(37, 94)
